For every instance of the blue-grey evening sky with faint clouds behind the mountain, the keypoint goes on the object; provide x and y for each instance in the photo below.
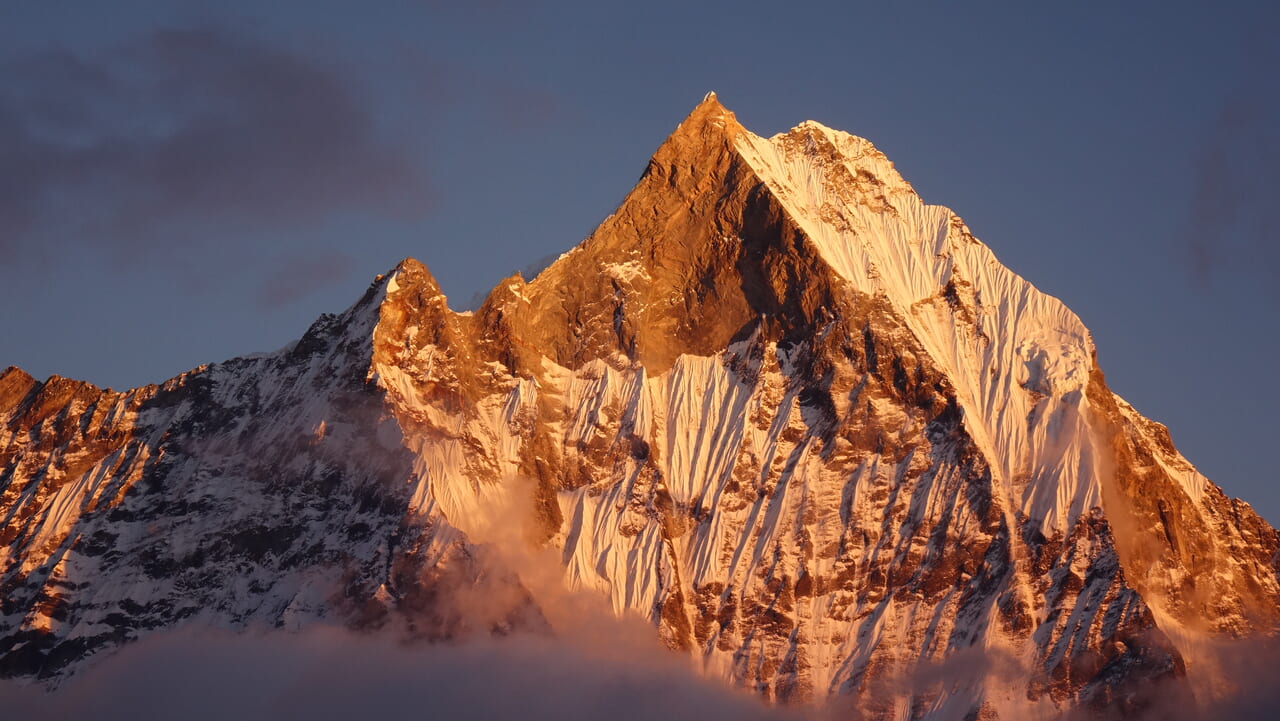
(180, 185)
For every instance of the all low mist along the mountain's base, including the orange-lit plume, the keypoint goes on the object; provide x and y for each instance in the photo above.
(575, 660)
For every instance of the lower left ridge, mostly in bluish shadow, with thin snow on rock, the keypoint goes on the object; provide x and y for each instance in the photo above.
(266, 491)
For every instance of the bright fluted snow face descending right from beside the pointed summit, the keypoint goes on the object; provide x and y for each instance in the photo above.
(1012, 352)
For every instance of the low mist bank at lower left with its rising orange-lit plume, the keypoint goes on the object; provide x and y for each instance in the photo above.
(573, 661)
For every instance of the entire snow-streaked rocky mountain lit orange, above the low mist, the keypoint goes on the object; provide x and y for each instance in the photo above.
(802, 422)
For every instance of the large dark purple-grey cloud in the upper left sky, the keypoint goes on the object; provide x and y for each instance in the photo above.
(189, 142)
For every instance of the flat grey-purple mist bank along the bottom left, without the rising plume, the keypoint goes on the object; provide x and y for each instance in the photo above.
(328, 673)
